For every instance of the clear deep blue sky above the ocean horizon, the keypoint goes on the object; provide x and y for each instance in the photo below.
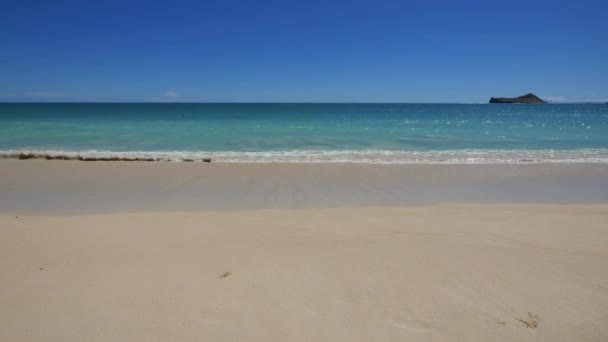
(302, 51)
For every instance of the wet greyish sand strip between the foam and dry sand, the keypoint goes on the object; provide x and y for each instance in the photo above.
(64, 187)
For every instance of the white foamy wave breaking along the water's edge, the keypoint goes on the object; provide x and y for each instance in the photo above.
(347, 156)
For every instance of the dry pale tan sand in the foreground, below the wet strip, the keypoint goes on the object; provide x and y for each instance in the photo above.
(457, 272)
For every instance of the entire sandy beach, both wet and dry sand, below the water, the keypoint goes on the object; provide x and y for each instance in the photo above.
(157, 251)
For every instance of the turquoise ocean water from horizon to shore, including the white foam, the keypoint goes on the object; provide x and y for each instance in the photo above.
(263, 132)
